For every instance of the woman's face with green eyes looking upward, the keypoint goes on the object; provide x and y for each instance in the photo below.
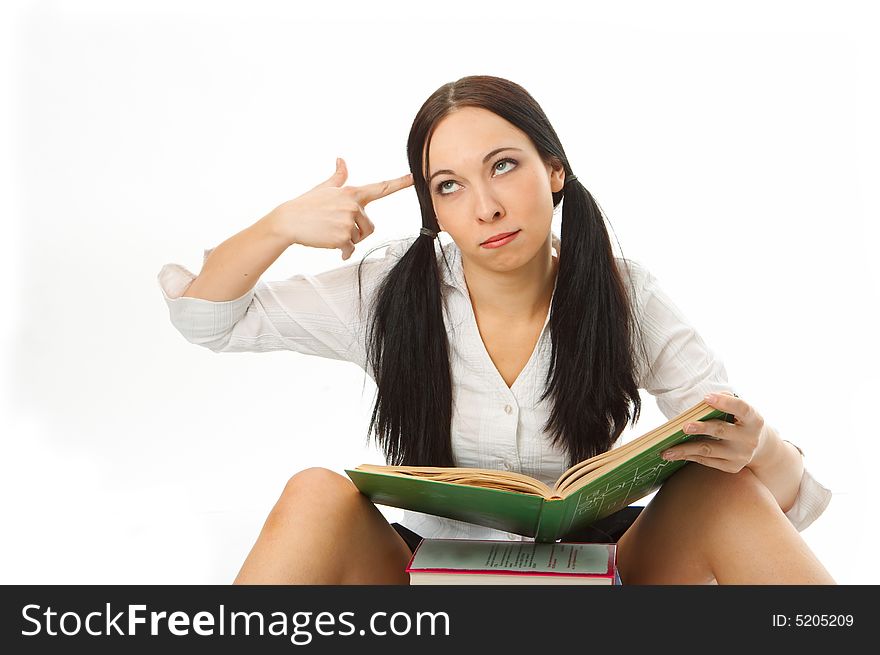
(479, 193)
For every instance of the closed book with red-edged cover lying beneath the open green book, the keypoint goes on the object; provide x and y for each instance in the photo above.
(490, 562)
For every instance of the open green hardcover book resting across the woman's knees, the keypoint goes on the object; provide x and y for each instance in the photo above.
(504, 500)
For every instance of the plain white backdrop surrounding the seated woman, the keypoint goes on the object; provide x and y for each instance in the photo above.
(733, 150)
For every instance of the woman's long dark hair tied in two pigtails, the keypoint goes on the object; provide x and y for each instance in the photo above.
(592, 375)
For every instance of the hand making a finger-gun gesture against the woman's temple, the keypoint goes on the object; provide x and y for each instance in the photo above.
(331, 215)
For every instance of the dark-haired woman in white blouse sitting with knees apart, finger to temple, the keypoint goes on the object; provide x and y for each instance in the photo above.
(493, 352)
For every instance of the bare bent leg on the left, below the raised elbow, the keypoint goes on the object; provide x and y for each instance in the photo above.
(324, 531)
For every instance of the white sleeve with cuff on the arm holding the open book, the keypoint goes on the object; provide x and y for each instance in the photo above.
(681, 369)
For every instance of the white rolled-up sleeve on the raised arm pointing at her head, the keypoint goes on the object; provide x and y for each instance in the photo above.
(318, 315)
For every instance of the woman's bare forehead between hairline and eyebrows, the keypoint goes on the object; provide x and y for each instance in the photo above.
(466, 134)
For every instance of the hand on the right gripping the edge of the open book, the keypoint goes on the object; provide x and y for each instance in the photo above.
(735, 446)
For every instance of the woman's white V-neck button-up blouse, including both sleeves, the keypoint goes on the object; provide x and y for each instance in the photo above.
(493, 426)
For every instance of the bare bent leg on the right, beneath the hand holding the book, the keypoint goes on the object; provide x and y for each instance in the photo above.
(705, 525)
